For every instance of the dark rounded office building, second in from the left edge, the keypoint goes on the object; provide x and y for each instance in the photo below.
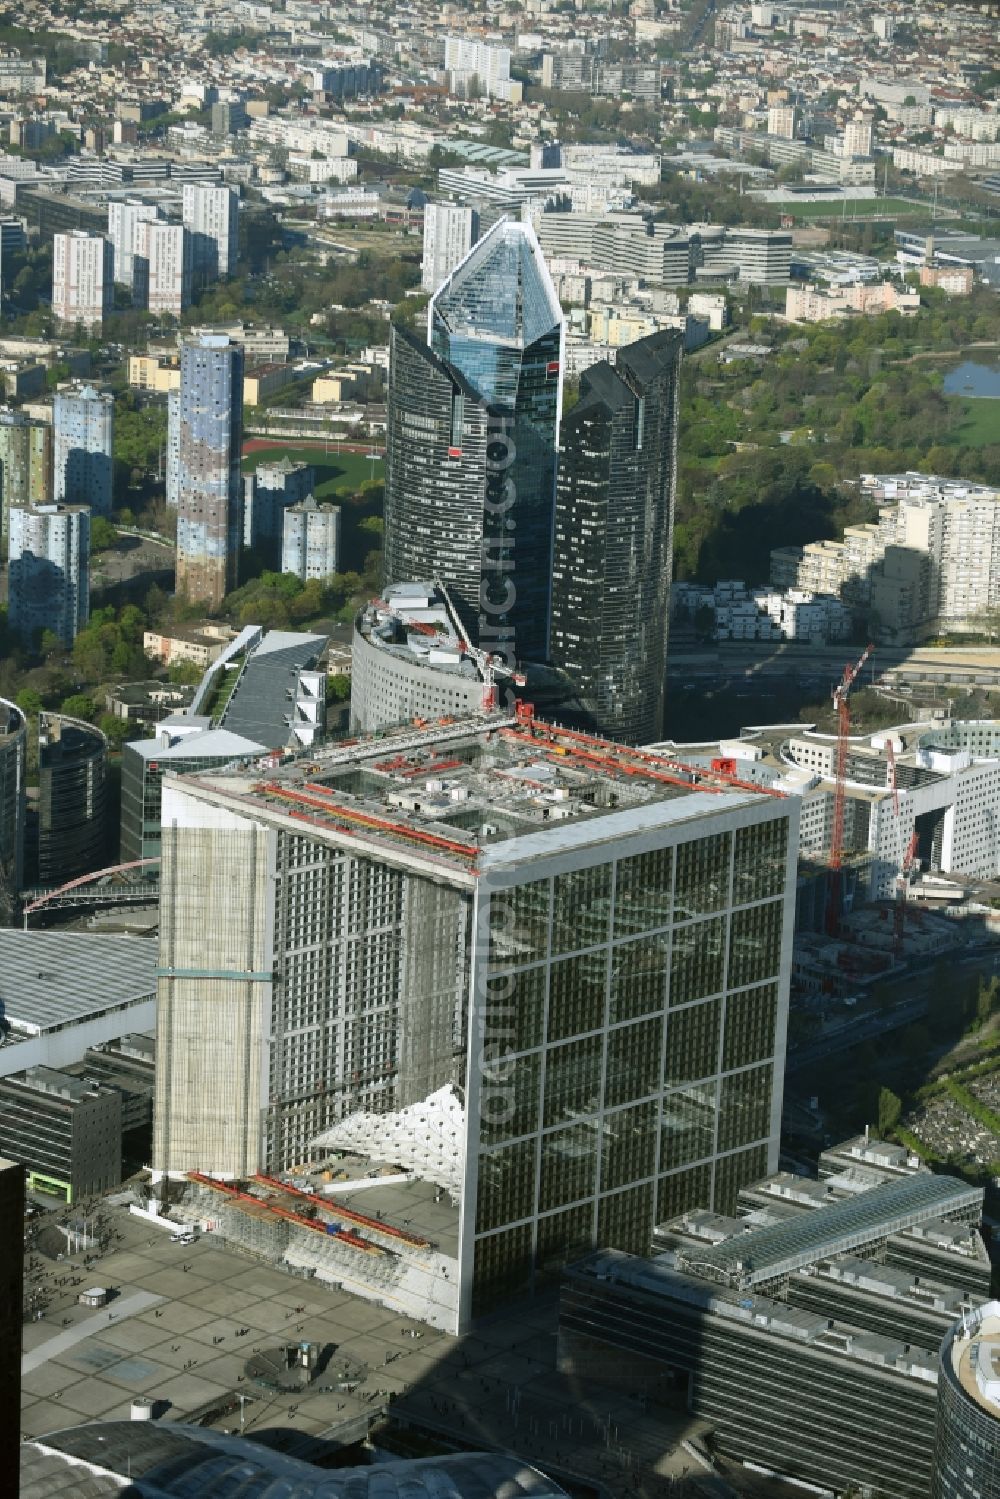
(73, 831)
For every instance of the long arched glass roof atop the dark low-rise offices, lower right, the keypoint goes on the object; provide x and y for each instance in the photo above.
(767, 1254)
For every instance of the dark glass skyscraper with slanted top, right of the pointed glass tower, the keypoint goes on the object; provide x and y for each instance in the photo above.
(614, 537)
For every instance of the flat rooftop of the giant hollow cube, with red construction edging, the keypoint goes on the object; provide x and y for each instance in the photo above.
(460, 788)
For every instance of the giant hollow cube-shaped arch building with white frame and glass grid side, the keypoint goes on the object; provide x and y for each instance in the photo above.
(585, 947)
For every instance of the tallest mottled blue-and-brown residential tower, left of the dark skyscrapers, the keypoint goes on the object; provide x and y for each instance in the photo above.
(206, 435)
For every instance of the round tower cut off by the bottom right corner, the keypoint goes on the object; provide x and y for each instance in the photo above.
(968, 1441)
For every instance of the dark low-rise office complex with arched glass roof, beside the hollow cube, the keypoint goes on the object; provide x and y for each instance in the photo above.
(806, 1348)
